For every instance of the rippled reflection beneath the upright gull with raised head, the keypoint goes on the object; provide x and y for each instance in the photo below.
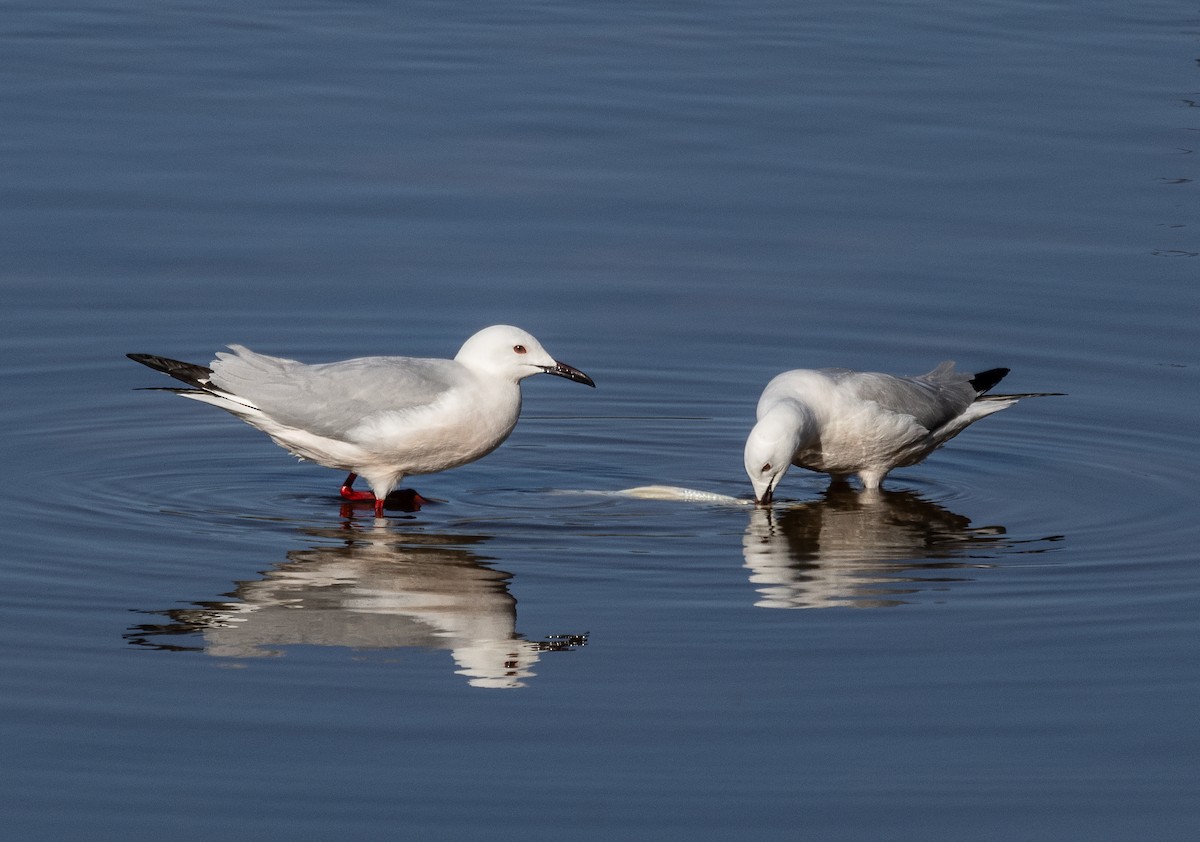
(373, 591)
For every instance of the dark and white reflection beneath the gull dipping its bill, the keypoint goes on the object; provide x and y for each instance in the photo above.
(867, 550)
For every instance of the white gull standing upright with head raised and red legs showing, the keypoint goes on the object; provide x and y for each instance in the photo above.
(382, 418)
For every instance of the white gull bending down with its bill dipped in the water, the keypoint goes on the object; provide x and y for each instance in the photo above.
(841, 423)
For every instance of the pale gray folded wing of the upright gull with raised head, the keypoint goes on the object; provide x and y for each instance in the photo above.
(333, 399)
